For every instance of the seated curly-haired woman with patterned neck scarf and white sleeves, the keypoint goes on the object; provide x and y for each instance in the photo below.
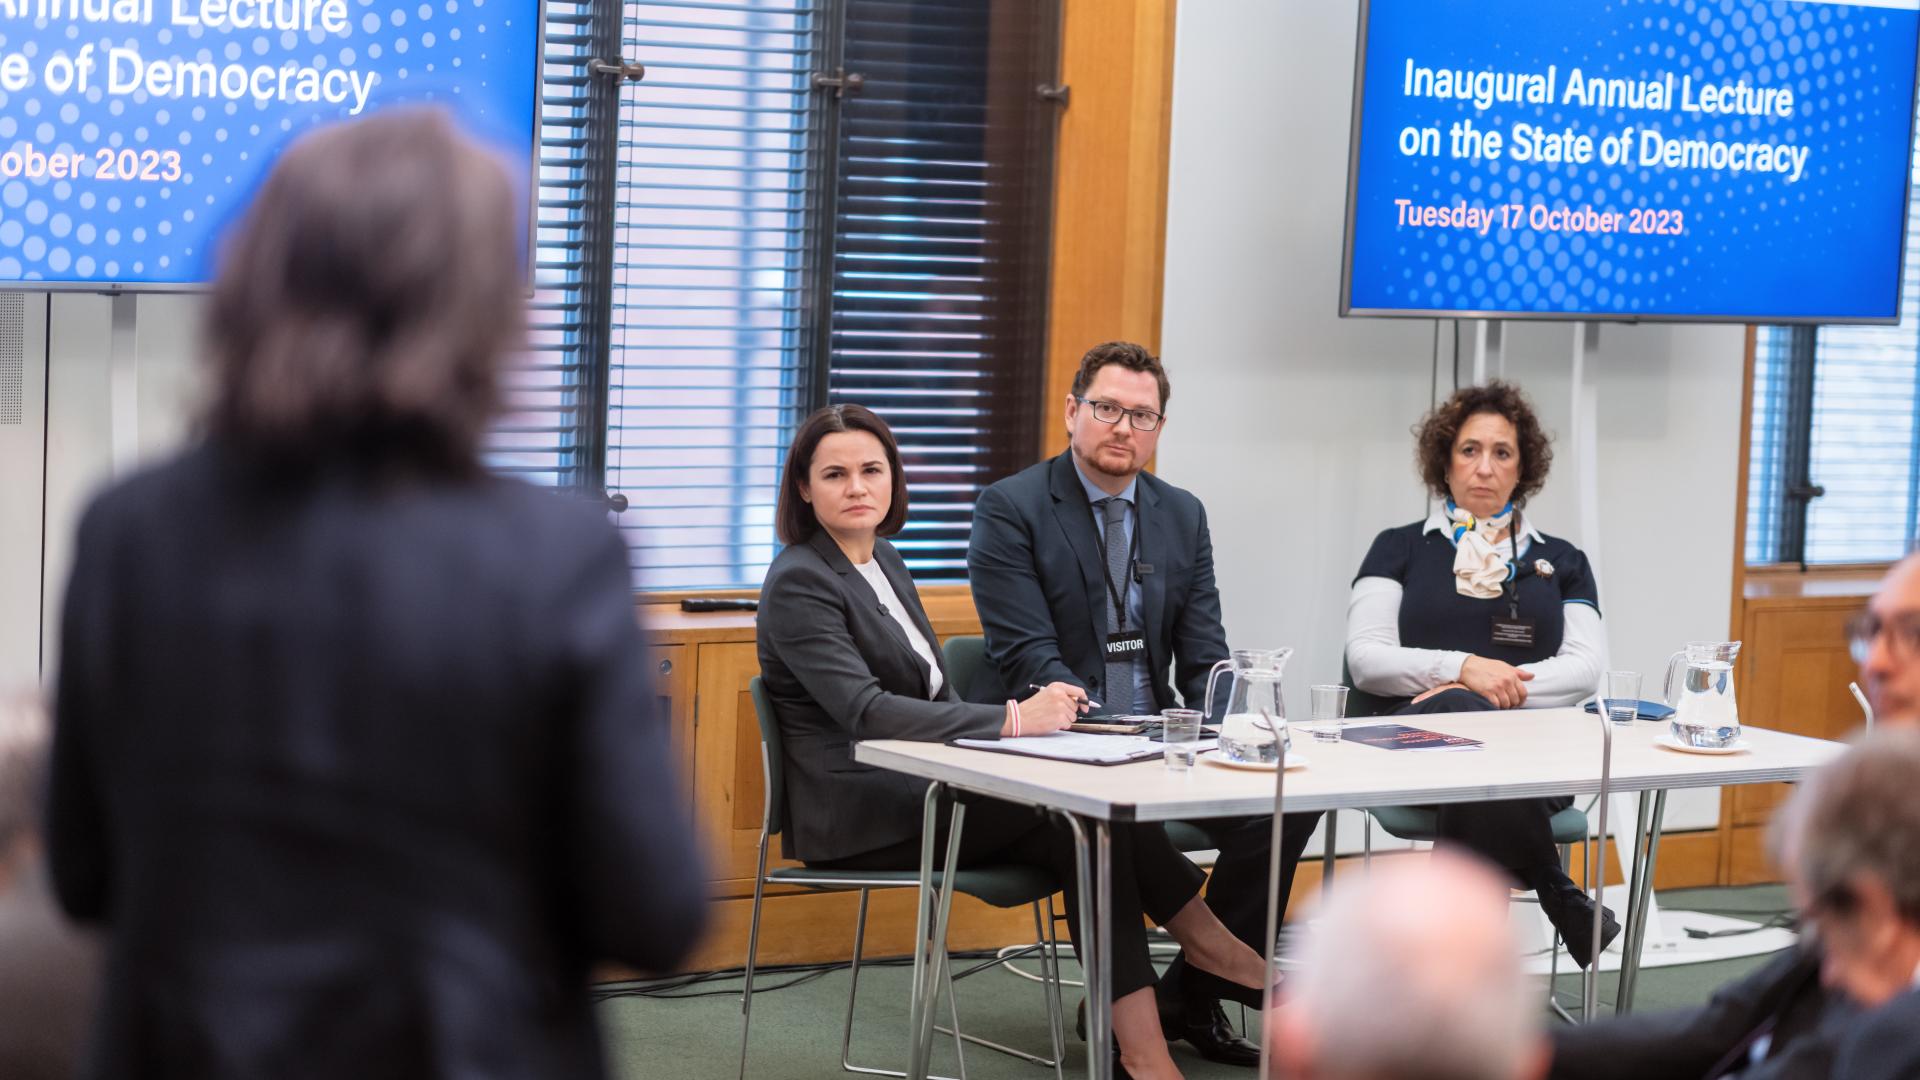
(1479, 610)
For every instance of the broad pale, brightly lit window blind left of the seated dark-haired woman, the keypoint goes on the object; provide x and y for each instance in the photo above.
(708, 370)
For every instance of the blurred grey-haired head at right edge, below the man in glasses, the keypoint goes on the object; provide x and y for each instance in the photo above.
(1850, 841)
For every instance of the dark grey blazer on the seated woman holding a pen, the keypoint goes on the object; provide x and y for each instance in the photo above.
(838, 670)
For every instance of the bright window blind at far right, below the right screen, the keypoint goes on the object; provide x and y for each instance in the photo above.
(1865, 433)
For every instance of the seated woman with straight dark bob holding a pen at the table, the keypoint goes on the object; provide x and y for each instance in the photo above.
(848, 654)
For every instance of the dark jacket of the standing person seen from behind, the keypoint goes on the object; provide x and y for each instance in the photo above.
(360, 777)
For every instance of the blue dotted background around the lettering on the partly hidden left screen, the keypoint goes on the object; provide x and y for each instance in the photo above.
(479, 59)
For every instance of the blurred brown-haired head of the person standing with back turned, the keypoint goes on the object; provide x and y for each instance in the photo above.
(368, 301)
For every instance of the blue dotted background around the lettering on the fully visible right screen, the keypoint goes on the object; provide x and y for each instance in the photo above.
(1756, 245)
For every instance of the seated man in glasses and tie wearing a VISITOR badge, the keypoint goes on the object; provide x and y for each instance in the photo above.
(1088, 570)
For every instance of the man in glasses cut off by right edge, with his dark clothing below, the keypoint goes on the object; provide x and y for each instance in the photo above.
(1781, 1021)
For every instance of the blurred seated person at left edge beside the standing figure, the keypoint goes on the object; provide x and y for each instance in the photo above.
(47, 968)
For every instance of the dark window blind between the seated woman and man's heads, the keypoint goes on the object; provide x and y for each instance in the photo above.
(940, 262)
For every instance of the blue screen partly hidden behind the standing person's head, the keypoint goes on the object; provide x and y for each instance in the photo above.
(133, 132)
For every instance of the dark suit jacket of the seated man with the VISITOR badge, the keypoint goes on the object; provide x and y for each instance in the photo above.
(1036, 564)
